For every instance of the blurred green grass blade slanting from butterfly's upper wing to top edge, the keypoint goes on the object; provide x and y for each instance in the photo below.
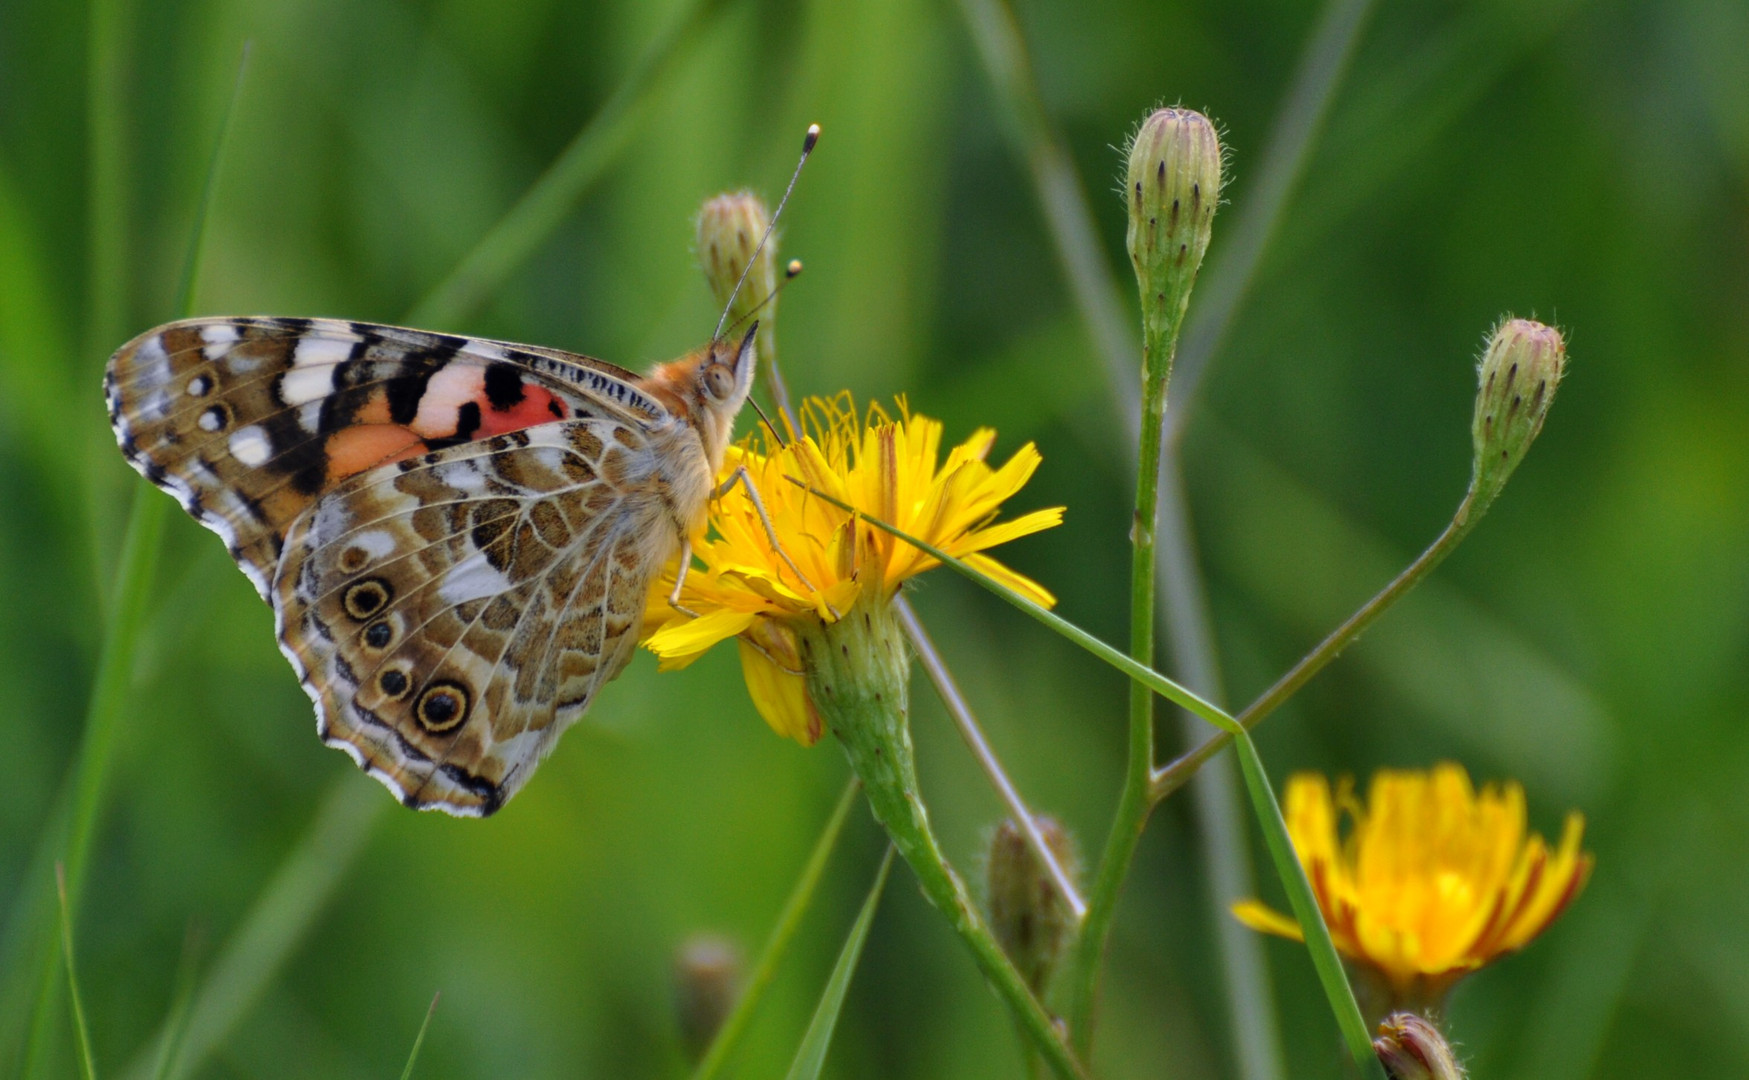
(555, 193)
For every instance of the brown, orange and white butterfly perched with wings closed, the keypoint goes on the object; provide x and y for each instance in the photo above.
(457, 536)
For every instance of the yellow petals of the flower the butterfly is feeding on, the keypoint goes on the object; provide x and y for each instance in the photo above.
(888, 468)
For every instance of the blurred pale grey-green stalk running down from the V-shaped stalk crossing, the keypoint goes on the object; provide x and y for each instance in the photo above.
(1220, 815)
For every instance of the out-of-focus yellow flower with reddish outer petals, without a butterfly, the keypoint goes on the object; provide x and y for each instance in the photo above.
(1433, 880)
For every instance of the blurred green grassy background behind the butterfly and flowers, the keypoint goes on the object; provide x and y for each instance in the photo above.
(1580, 160)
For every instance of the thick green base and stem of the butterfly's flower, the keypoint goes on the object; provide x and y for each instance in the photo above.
(858, 675)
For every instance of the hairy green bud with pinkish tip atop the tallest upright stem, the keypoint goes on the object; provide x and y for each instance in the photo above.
(1173, 188)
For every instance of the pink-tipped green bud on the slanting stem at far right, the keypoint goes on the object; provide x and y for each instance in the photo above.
(1519, 375)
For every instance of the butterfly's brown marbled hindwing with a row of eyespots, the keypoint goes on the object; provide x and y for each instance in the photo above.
(454, 614)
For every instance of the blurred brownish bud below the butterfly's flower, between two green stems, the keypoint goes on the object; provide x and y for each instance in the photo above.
(1028, 911)
